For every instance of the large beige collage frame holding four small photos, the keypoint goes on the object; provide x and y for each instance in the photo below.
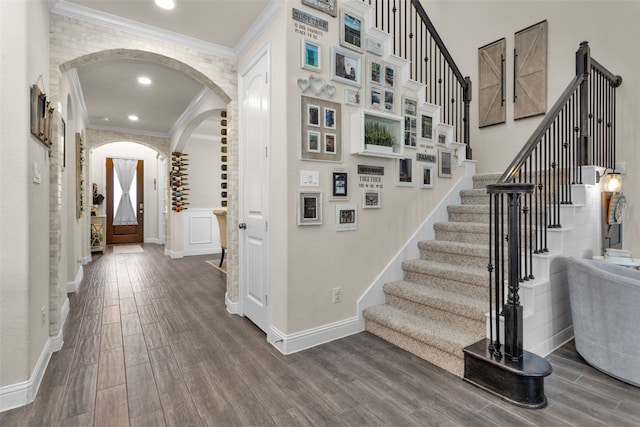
(320, 123)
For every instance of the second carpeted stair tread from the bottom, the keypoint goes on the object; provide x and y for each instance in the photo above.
(455, 303)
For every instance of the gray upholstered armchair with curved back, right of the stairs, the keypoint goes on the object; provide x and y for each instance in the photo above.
(605, 306)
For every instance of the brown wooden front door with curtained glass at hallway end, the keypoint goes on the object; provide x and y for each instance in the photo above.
(117, 234)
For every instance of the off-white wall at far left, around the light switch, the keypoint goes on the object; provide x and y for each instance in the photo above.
(24, 207)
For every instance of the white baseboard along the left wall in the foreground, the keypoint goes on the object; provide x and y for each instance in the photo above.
(23, 393)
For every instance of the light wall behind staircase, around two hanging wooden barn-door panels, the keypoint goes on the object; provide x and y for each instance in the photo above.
(608, 26)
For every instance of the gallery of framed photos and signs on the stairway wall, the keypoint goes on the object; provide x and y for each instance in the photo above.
(369, 85)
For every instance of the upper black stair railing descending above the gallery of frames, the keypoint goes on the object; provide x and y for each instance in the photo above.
(415, 38)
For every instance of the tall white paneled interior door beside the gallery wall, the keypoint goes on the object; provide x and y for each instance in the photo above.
(254, 142)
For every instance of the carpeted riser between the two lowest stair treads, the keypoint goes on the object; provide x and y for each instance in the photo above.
(460, 320)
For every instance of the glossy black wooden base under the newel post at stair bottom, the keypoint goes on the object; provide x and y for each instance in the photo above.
(520, 383)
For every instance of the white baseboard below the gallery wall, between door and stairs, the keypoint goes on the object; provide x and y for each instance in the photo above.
(288, 344)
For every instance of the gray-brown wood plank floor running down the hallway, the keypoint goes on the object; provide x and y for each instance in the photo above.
(148, 342)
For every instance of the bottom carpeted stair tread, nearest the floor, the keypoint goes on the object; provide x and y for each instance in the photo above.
(440, 335)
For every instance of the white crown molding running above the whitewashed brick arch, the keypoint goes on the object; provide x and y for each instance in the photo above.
(82, 13)
